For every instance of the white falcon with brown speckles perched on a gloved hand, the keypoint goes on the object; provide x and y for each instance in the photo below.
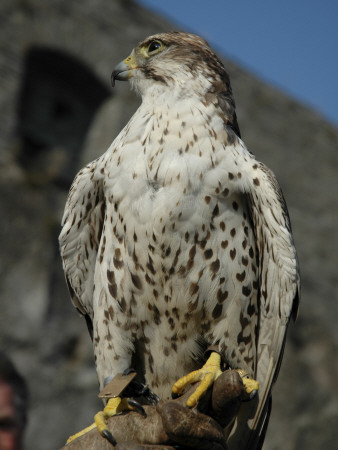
(177, 241)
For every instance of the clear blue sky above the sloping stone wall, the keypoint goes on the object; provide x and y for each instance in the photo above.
(292, 44)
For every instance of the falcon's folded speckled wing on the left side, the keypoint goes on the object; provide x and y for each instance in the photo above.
(80, 236)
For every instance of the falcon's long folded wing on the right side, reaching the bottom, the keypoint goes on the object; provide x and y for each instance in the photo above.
(279, 290)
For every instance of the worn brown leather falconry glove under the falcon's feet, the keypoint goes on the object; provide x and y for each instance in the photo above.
(172, 423)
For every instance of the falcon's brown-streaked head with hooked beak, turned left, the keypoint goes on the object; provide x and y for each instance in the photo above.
(180, 64)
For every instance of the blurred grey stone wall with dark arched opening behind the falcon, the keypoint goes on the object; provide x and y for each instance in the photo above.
(58, 112)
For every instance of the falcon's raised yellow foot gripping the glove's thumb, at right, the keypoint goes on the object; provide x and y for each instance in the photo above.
(207, 375)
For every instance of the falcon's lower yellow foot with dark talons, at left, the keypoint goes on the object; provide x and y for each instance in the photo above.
(114, 406)
